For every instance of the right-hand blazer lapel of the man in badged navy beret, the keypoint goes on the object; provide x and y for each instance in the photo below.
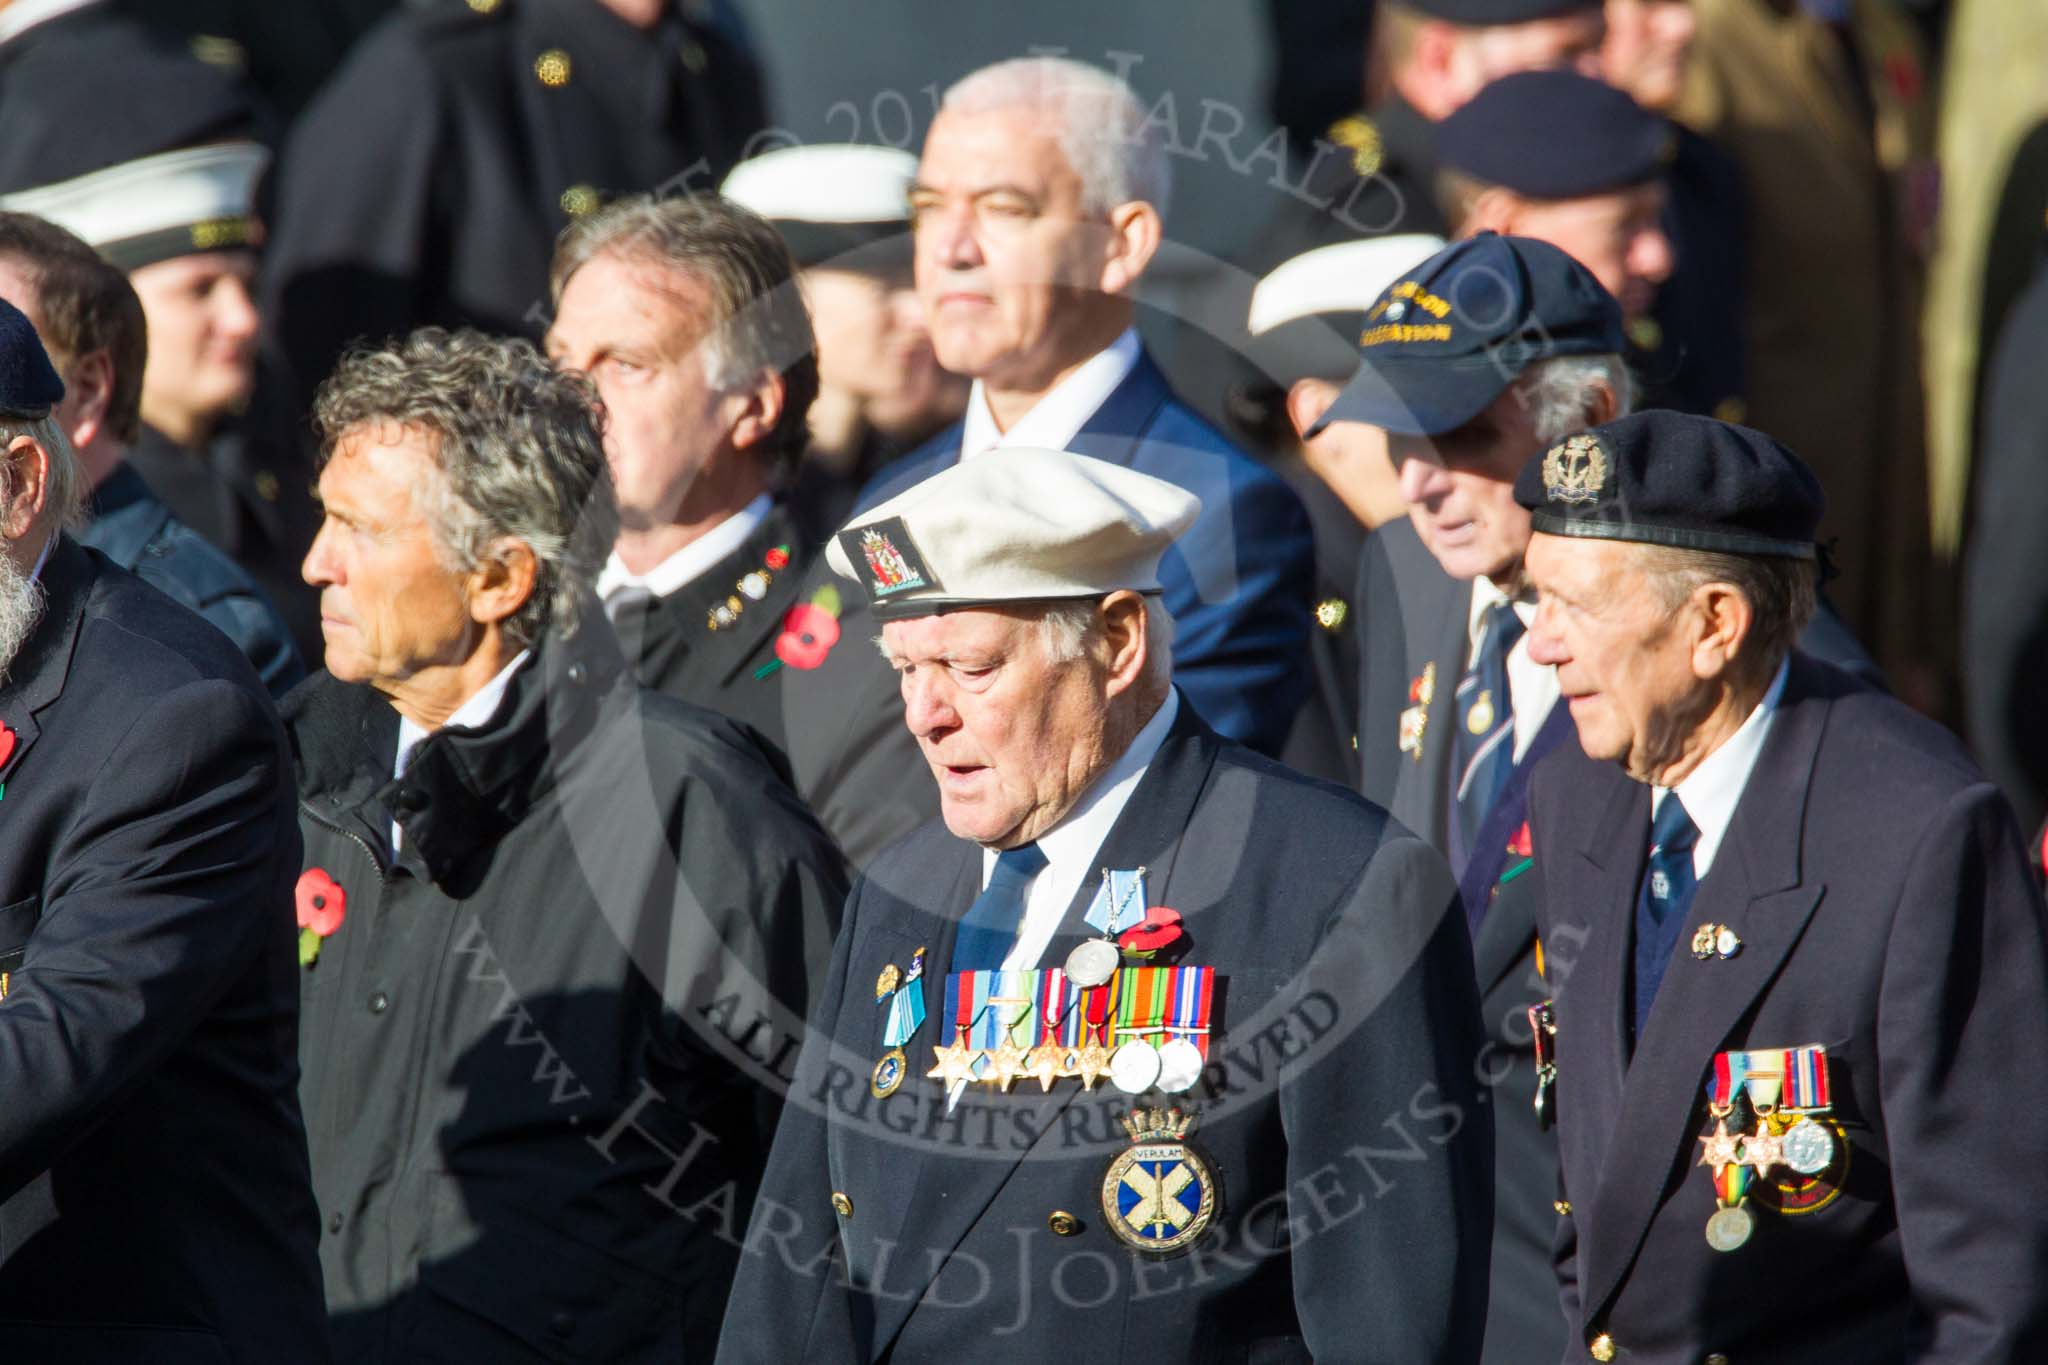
(1756, 891)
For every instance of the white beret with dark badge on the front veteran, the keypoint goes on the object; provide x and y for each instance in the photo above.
(1015, 525)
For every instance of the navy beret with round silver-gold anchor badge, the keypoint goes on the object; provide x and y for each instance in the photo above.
(1668, 478)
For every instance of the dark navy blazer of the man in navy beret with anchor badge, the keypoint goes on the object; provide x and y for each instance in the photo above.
(1885, 912)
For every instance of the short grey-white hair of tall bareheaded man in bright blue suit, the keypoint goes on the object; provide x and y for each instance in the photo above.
(1109, 142)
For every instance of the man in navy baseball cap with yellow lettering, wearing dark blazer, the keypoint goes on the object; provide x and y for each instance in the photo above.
(1459, 429)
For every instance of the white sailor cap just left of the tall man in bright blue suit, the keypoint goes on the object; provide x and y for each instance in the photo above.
(830, 202)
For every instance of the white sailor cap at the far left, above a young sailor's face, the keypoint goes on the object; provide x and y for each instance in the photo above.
(175, 204)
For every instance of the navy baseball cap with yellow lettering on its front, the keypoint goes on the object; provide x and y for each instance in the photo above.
(1449, 337)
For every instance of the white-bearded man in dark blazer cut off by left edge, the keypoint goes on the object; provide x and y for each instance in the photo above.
(155, 1198)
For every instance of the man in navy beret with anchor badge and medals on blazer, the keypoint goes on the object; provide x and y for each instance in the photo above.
(1797, 951)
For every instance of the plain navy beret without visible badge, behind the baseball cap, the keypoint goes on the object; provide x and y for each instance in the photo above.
(1555, 136)
